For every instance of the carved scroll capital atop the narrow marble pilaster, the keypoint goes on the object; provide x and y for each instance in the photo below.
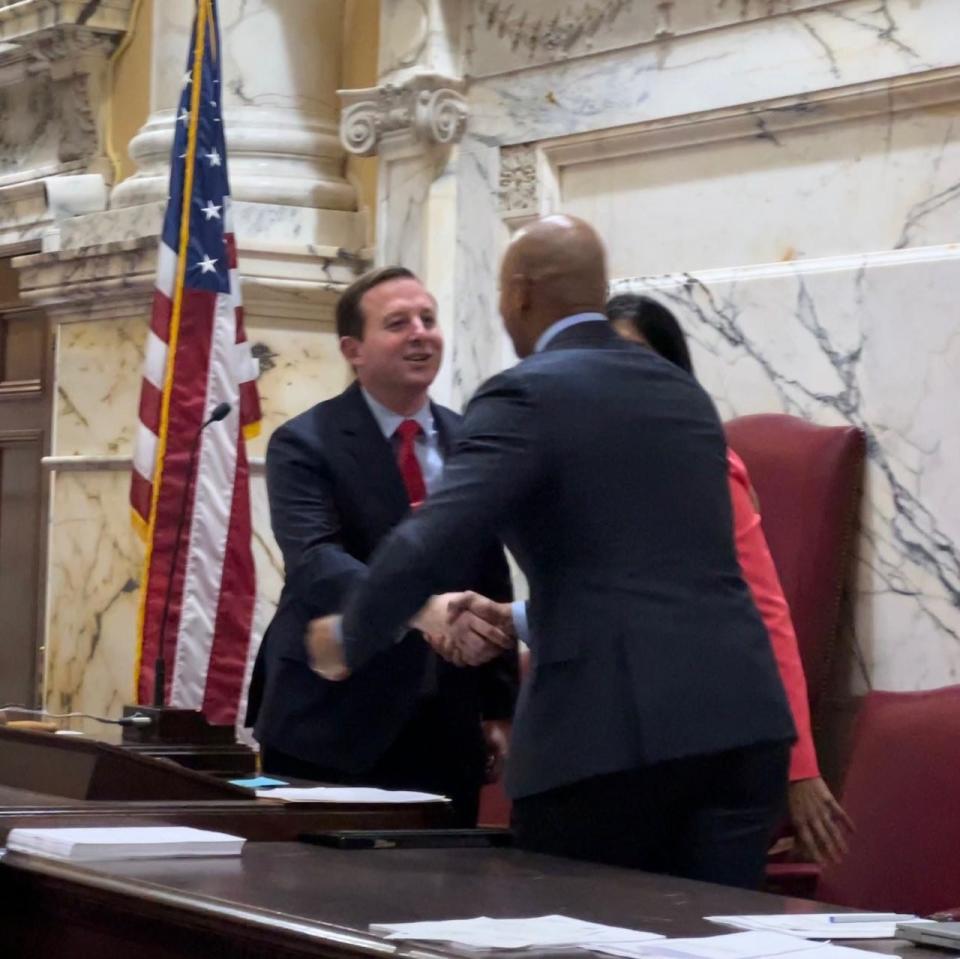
(426, 109)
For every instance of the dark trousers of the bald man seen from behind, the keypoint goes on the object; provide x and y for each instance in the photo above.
(703, 817)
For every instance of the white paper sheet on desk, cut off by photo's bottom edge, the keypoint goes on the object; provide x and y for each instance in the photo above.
(737, 945)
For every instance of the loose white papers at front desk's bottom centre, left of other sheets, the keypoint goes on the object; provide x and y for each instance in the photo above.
(538, 932)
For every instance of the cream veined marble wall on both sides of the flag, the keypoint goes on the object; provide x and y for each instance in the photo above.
(97, 559)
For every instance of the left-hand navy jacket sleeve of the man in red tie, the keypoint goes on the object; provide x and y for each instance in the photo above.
(306, 523)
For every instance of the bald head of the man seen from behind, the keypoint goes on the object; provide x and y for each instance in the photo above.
(553, 268)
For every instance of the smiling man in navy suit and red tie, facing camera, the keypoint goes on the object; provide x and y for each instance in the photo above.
(340, 476)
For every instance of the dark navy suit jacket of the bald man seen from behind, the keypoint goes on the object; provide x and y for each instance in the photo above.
(604, 469)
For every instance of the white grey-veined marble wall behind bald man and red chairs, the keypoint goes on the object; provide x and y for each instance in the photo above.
(786, 175)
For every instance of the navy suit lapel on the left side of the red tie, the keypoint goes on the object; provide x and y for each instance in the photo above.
(372, 455)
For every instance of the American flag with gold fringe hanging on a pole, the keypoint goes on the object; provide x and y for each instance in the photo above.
(196, 357)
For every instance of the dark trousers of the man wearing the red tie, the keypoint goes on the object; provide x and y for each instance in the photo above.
(431, 754)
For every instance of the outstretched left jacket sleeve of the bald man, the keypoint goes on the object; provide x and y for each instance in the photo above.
(495, 464)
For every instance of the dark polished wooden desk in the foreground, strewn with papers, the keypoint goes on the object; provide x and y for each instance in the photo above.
(288, 900)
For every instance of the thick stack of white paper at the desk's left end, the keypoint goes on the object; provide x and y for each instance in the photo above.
(123, 842)
